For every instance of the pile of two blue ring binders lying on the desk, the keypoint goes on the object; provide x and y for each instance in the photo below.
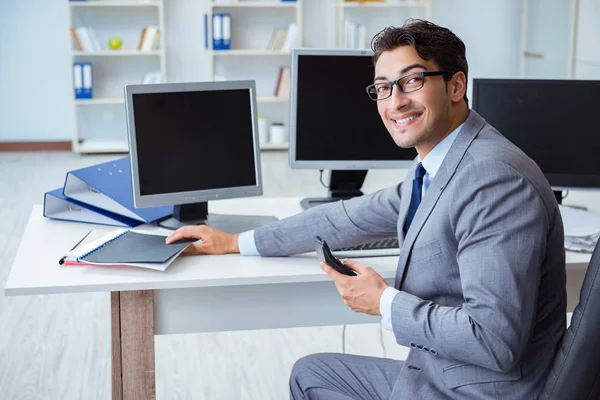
(100, 194)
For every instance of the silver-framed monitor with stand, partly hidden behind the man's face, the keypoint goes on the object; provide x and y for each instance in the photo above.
(333, 122)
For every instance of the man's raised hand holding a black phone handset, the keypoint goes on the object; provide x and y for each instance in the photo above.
(361, 293)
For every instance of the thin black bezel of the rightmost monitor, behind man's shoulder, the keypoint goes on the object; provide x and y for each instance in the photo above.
(557, 181)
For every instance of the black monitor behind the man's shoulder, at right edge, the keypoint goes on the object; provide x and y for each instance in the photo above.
(552, 121)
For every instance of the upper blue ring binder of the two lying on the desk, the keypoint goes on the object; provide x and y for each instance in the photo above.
(108, 186)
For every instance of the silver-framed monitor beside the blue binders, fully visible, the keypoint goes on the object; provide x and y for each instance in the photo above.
(191, 143)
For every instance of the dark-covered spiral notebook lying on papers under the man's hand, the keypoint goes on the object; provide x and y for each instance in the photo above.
(128, 248)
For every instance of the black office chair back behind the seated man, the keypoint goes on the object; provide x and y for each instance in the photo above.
(575, 374)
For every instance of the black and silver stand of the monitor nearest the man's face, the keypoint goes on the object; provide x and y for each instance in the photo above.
(343, 185)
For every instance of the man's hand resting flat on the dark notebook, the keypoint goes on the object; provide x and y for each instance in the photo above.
(213, 241)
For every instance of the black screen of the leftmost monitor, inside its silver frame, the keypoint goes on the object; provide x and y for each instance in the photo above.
(197, 140)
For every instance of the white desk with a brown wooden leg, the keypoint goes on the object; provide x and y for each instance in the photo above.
(195, 294)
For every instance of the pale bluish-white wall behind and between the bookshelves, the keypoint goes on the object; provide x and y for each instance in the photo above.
(35, 87)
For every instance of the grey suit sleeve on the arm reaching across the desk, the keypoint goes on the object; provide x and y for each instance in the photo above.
(344, 223)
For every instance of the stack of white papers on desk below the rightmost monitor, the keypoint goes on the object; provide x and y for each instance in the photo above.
(582, 229)
